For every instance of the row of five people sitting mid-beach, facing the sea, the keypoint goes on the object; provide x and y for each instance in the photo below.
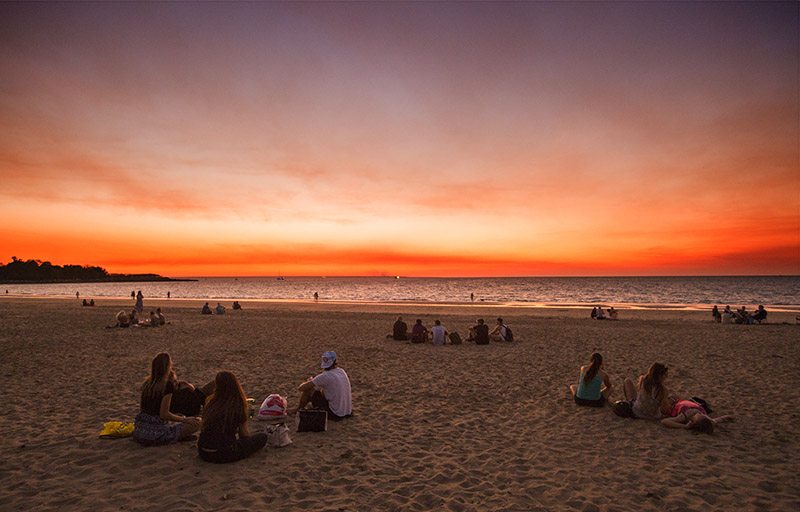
(438, 334)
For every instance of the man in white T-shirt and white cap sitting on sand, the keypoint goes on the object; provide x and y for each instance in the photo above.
(330, 390)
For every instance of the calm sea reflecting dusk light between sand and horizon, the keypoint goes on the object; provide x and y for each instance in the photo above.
(556, 291)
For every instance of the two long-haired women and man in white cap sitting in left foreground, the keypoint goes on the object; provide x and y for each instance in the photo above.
(173, 410)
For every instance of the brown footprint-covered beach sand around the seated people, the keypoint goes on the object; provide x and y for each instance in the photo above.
(436, 428)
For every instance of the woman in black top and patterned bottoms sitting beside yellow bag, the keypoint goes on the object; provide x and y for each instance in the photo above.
(155, 424)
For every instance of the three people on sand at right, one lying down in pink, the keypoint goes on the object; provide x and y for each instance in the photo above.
(648, 398)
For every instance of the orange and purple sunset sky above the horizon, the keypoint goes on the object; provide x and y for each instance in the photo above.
(420, 139)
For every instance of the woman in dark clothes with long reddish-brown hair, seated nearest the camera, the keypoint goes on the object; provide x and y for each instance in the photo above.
(225, 417)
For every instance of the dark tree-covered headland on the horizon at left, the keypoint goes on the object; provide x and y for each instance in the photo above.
(37, 271)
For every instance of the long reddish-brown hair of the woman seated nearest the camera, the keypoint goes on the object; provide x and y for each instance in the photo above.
(226, 409)
